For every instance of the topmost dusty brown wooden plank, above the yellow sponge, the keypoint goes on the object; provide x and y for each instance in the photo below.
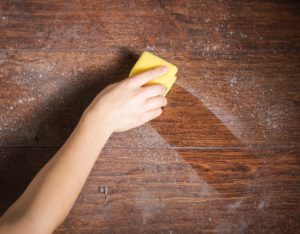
(162, 25)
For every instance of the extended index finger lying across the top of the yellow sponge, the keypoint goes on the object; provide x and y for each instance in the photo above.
(149, 75)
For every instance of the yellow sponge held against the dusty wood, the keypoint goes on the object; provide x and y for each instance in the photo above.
(148, 61)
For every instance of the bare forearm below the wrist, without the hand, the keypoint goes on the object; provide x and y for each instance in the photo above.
(52, 193)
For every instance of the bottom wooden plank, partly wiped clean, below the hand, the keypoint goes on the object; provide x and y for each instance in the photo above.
(159, 189)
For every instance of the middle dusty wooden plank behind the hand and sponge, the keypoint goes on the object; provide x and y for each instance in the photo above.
(223, 99)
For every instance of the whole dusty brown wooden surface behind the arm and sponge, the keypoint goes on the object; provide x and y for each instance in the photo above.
(224, 156)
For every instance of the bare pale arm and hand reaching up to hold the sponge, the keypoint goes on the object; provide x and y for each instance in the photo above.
(51, 194)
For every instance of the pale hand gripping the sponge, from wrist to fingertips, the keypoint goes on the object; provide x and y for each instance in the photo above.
(128, 104)
